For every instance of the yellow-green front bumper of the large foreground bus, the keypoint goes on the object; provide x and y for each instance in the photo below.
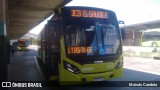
(82, 78)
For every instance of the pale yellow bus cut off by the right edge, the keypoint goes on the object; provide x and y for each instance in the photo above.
(151, 38)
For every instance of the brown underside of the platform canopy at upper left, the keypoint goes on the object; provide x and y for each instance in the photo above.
(26, 14)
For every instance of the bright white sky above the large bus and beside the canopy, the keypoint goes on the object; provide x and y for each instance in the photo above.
(130, 11)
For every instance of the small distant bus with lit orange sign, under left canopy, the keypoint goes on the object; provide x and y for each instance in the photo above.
(23, 44)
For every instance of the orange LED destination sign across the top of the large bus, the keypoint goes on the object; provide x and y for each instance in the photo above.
(88, 13)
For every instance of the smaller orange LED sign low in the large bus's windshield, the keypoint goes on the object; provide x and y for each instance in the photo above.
(79, 50)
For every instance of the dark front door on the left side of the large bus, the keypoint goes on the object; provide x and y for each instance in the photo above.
(53, 51)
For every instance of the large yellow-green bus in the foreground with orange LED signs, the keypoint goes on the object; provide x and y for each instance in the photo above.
(81, 44)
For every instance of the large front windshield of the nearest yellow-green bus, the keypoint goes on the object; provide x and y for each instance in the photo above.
(91, 35)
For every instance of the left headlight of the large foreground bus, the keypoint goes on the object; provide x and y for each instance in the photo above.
(71, 68)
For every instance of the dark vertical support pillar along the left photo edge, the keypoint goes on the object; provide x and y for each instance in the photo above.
(3, 43)
